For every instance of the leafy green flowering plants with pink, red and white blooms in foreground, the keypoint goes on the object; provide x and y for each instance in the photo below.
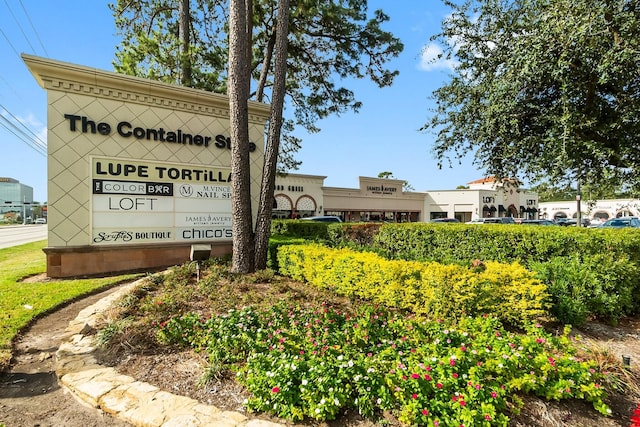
(319, 362)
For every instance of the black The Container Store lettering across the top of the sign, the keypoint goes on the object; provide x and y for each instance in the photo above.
(126, 129)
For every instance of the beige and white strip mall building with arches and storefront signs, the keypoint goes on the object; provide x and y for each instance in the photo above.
(380, 199)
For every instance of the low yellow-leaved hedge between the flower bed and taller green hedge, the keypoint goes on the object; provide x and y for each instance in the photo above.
(508, 291)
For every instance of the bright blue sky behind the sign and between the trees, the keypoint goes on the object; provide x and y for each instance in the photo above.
(383, 136)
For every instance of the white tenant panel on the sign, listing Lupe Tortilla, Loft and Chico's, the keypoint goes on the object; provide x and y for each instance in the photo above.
(141, 202)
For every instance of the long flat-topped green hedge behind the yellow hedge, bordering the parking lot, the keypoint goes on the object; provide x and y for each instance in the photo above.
(451, 243)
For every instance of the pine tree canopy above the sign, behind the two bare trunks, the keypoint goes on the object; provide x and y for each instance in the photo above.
(329, 41)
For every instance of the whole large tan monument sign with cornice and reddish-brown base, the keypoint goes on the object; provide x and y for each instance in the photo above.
(138, 171)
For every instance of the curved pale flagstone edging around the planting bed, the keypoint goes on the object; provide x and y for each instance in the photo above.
(123, 397)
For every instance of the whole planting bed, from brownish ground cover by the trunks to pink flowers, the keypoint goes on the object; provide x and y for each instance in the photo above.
(304, 355)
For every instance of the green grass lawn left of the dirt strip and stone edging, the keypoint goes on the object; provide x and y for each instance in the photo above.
(21, 302)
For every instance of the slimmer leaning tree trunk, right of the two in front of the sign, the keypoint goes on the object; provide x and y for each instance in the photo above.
(265, 208)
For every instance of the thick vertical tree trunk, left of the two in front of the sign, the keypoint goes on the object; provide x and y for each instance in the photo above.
(239, 91)
